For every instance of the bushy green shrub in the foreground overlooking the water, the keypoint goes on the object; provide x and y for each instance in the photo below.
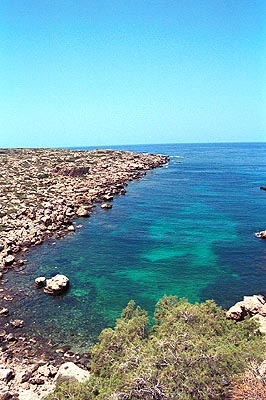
(192, 352)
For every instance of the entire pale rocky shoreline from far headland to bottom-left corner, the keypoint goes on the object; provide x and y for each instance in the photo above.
(42, 192)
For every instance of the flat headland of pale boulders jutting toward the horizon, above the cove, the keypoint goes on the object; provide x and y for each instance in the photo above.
(43, 190)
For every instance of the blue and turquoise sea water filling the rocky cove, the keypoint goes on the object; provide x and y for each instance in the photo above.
(184, 229)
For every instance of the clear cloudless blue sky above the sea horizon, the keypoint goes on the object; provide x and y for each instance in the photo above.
(96, 72)
